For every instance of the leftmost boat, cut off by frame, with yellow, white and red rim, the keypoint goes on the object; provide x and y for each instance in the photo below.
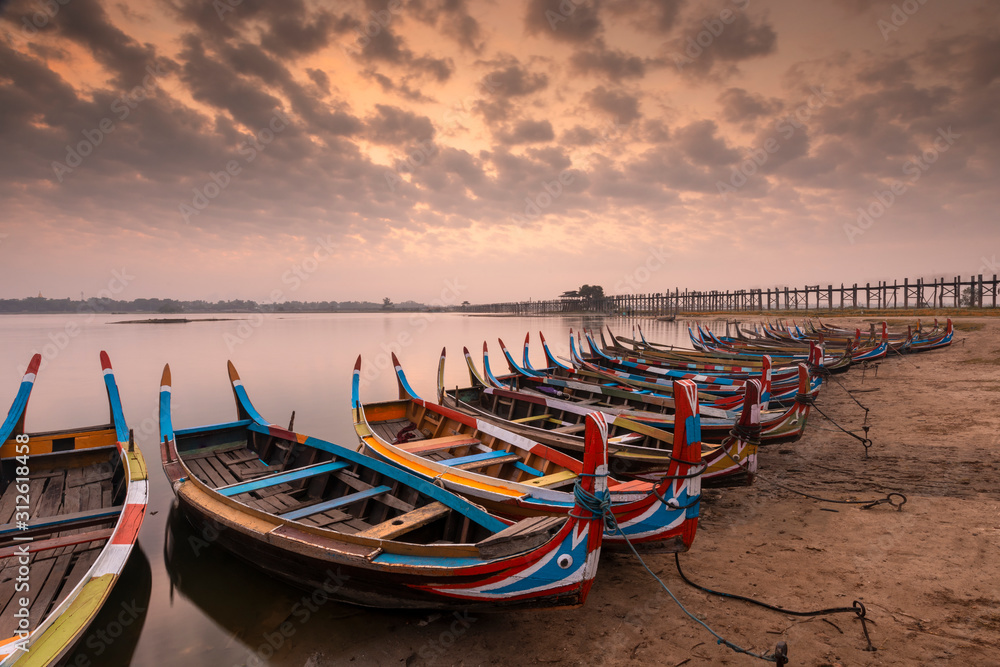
(85, 492)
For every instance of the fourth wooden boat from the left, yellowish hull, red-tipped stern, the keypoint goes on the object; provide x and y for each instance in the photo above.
(640, 441)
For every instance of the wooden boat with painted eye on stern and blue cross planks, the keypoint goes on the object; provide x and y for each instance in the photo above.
(323, 516)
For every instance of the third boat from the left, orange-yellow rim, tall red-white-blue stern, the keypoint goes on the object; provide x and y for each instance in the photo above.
(516, 477)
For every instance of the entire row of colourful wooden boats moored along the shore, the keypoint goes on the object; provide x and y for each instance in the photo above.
(497, 495)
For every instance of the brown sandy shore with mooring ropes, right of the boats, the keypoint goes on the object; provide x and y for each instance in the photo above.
(929, 574)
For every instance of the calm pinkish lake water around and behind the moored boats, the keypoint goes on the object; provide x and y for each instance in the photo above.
(182, 602)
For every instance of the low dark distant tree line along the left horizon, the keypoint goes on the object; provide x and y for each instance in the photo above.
(36, 304)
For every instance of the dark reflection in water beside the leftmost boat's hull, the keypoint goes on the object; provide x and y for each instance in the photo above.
(114, 633)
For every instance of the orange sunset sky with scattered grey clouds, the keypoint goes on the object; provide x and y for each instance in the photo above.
(462, 150)
